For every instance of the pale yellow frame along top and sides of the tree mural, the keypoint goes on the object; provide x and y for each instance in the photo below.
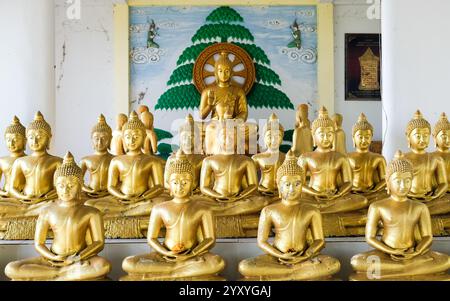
(325, 48)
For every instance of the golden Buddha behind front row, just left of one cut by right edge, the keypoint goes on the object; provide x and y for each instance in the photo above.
(430, 181)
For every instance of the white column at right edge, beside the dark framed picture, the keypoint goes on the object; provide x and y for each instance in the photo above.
(415, 65)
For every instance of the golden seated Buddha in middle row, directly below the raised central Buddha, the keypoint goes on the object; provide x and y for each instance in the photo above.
(230, 183)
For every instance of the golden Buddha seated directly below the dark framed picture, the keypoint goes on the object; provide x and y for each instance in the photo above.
(369, 169)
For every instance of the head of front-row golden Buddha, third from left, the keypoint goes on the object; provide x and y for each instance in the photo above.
(290, 177)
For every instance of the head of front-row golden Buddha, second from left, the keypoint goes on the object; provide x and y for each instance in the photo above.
(181, 176)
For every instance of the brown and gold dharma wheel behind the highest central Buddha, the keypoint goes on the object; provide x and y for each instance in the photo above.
(242, 66)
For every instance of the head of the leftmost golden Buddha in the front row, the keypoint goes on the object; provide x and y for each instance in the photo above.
(68, 179)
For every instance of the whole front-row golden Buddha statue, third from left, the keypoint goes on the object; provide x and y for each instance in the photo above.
(292, 256)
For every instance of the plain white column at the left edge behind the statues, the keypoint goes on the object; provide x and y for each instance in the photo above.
(26, 61)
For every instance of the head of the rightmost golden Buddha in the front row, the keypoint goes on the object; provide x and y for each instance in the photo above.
(399, 174)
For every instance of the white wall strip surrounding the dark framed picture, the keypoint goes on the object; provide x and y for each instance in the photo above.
(350, 16)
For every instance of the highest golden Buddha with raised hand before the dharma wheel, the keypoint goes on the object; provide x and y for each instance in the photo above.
(225, 102)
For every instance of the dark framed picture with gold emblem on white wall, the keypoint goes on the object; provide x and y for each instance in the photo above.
(362, 66)
